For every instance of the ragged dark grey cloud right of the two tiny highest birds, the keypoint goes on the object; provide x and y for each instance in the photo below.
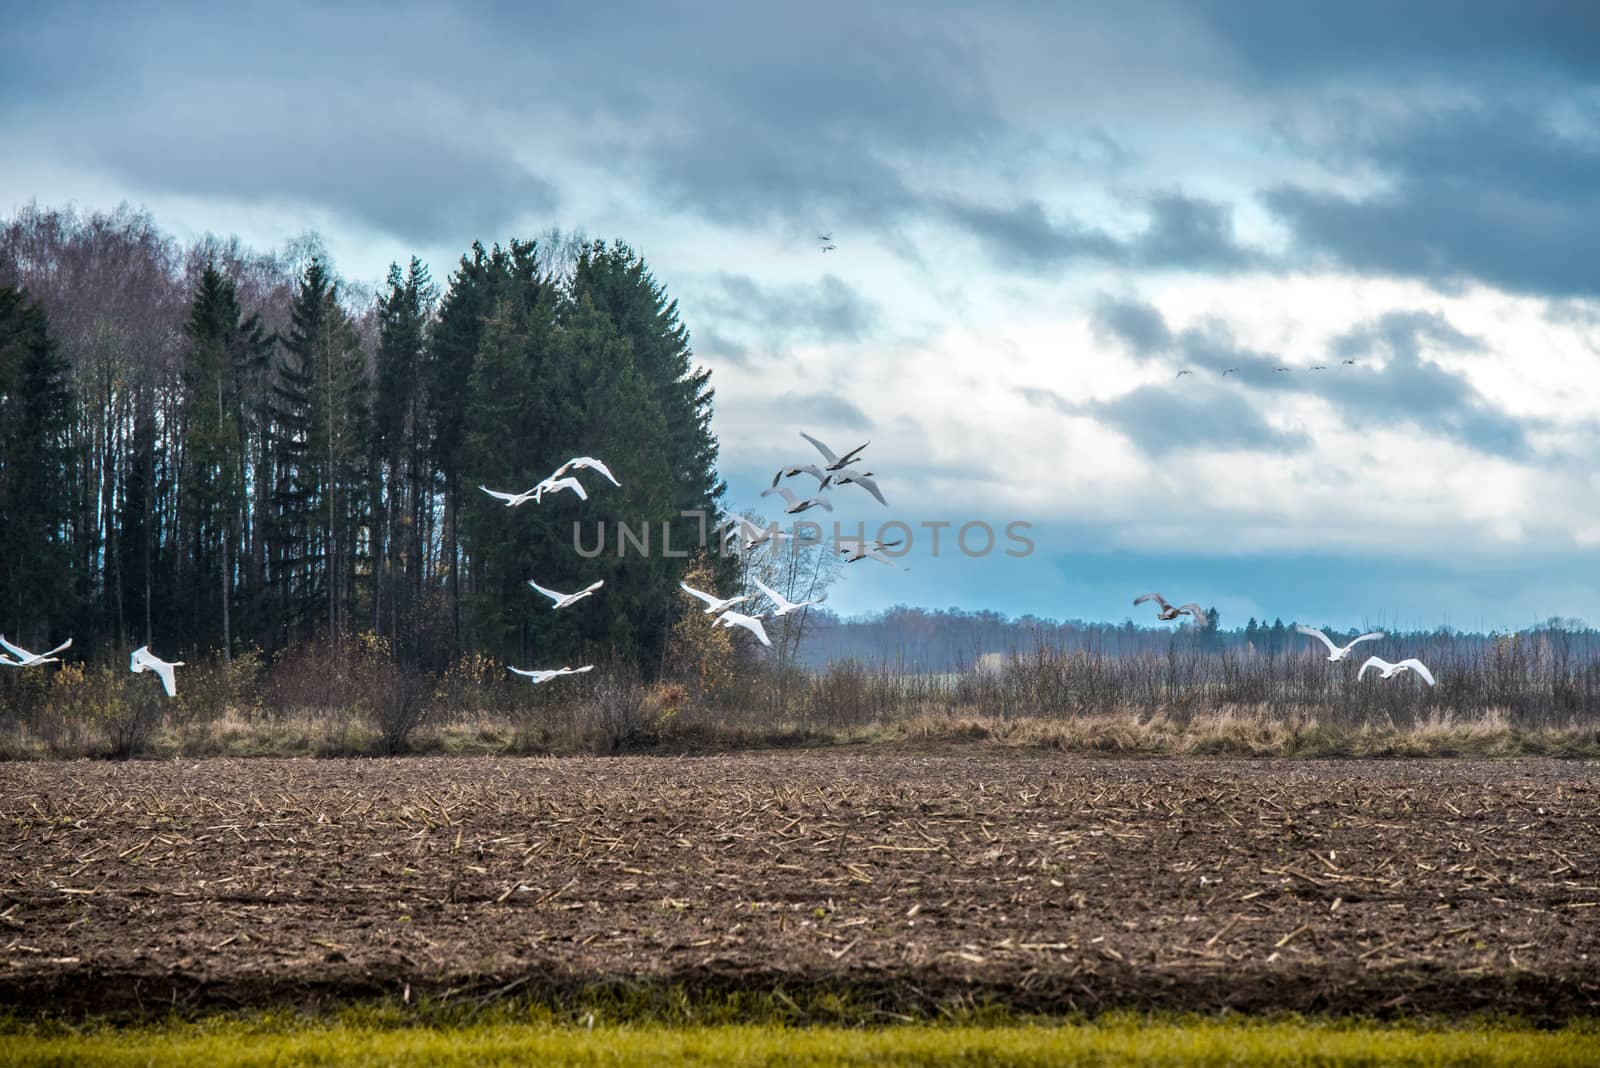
(1182, 233)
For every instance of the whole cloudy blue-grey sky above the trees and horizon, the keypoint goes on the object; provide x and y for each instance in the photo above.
(1042, 215)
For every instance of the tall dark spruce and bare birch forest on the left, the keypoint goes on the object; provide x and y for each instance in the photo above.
(207, 448)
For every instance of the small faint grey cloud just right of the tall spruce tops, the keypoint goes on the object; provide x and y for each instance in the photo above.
(825, 311)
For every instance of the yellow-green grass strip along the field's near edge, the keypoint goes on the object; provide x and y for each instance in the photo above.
(1111, 1042)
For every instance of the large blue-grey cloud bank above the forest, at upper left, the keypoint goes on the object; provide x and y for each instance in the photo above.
(766, 111)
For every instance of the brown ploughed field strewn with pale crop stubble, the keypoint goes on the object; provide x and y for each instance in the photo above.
(908, 879)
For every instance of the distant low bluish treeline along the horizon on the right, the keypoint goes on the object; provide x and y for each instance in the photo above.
(953, 640)
